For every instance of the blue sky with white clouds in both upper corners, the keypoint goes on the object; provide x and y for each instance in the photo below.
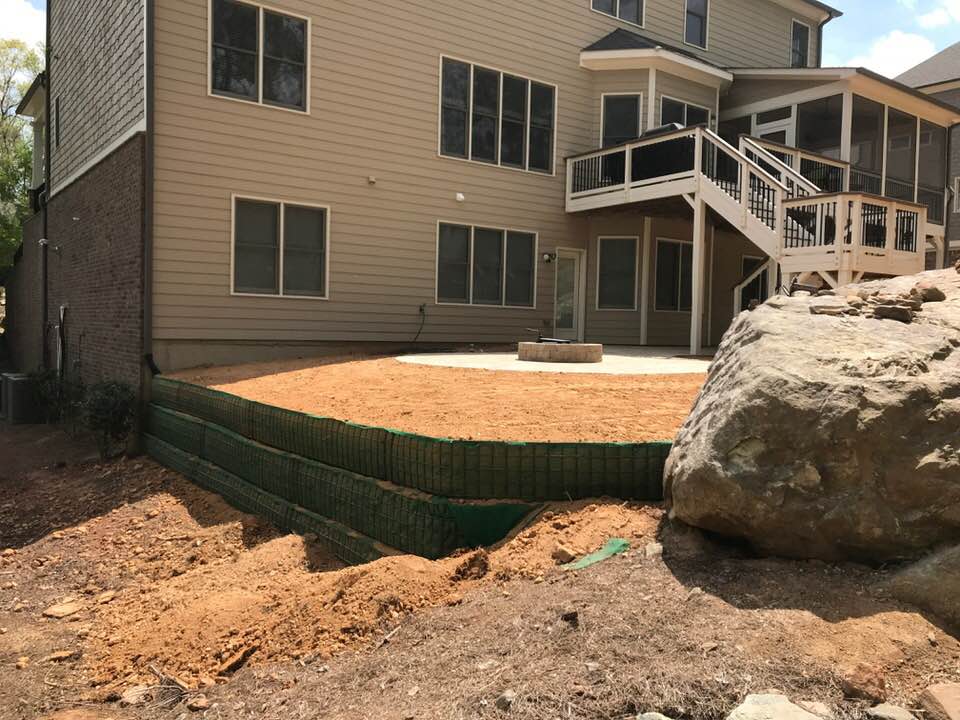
(888, 36)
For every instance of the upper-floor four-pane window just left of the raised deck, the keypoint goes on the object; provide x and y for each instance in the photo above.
(496, 118)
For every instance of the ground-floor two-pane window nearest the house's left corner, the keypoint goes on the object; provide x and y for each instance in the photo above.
(279, 248)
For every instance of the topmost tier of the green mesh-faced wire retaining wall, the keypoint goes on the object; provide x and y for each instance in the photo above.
(483, 470)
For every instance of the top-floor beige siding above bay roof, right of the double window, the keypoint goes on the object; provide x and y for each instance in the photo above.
(741, 33)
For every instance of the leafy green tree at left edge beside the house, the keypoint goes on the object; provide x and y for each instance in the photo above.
(19, 65)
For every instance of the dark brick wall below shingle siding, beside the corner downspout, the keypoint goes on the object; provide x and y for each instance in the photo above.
(97, 227)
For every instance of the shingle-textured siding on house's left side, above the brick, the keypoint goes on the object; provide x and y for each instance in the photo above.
(97, 72)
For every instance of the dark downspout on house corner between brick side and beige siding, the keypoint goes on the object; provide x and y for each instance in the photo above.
(148, 193)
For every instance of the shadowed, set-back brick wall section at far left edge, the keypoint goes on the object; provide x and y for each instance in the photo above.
(22, 322)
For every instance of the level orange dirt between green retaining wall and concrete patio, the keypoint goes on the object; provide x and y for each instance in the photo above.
(467, 403)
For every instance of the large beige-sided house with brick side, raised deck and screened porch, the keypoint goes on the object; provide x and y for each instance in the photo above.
(234, 180)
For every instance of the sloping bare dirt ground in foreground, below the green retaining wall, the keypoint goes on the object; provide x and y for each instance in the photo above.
(258, 625)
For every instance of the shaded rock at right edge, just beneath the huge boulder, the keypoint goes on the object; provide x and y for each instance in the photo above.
(932, 584)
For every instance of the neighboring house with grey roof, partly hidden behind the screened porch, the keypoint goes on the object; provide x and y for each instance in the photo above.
(939, 77)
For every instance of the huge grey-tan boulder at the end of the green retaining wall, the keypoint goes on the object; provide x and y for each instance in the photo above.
(829, 427)
